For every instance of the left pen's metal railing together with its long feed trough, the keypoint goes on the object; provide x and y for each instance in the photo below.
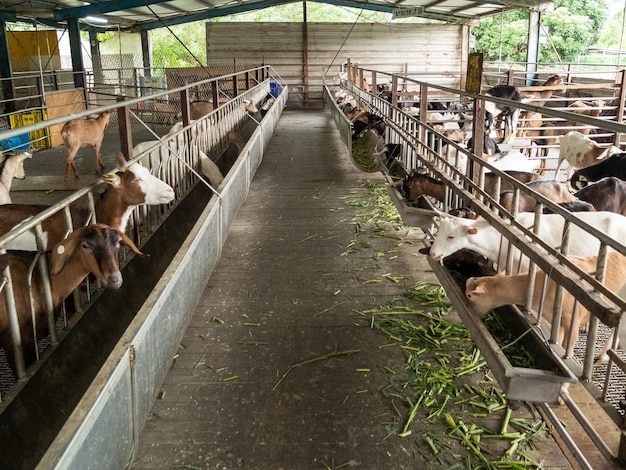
(184, 239)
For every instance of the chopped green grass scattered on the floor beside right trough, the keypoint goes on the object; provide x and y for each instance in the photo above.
(444, 400)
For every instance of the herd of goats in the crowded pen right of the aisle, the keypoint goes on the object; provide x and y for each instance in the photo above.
(596, 194)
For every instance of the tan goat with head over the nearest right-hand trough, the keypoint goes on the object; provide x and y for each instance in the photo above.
(487, 293)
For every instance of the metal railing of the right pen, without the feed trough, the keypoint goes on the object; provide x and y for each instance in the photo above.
(424, 146)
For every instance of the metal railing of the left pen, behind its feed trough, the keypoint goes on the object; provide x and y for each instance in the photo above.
(178, 164)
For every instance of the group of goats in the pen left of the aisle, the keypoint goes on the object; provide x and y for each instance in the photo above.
(90, 248)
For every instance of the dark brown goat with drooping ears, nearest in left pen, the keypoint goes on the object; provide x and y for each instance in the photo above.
(93, 249)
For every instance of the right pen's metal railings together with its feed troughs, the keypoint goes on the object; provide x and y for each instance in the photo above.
(424, 145)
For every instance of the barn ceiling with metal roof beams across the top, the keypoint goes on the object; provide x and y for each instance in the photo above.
(137, 15)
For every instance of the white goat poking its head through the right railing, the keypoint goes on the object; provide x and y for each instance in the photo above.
(478, 235)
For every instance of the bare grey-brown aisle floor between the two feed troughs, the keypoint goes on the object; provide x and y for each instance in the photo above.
(292, 274)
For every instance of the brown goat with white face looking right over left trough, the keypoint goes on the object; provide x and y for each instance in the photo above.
(127, 188)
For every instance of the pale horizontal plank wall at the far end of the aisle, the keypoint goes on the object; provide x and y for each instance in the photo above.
(432, 52)
